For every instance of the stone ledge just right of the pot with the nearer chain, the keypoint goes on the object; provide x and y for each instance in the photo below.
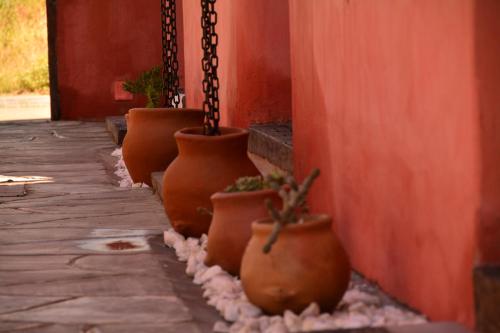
(273, 142)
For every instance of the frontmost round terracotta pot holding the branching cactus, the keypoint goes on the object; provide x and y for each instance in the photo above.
(306, 264)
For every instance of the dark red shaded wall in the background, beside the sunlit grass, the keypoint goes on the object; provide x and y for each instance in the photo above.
(99, 42)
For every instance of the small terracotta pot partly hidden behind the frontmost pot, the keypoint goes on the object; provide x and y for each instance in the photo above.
(231, 229)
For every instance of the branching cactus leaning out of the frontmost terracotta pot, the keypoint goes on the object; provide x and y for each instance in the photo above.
(294, 204)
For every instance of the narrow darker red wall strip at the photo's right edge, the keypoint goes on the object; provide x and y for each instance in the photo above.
(487, 54)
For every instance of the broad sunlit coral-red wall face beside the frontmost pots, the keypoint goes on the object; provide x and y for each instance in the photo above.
(385, 102)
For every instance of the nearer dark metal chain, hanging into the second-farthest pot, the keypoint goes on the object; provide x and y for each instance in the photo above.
(210, 63)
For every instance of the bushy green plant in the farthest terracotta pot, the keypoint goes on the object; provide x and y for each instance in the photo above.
(150, 84)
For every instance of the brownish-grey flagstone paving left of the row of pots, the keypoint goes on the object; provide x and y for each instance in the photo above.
(78, 253)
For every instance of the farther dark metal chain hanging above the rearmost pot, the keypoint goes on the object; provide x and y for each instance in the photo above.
(170, 73)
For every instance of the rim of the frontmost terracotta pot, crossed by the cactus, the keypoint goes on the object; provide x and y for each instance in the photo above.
(265, 225)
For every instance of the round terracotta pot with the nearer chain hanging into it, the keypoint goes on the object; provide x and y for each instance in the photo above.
(205, 165)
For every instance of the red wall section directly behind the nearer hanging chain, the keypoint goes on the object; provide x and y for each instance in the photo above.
(254, 60)
